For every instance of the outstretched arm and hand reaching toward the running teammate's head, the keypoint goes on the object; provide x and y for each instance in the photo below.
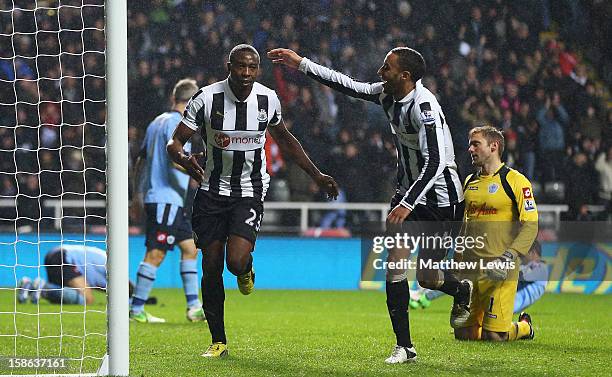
(333, 79)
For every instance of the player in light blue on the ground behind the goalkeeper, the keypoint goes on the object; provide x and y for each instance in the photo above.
(533, 278)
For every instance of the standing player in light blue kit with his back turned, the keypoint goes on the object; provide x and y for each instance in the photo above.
(164, 186)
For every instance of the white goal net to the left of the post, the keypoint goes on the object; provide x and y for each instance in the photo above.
(52, 184)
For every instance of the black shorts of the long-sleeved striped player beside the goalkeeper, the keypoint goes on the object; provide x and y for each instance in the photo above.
(433, 220)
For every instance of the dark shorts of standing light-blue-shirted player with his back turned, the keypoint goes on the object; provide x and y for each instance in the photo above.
(167, 225)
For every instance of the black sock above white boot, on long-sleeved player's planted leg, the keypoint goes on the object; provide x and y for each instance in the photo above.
(397, 305)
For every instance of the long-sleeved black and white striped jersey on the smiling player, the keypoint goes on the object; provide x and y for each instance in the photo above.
(426, 168)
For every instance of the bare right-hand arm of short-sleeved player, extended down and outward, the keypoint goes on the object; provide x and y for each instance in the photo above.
(292, 148)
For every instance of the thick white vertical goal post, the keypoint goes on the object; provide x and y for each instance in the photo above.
(117, 190)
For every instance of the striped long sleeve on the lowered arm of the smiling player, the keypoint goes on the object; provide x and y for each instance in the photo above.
(431, 143)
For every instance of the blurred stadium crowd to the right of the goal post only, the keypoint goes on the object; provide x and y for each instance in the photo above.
(497, 63)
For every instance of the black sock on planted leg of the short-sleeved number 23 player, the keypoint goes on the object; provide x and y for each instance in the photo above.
(213, 299)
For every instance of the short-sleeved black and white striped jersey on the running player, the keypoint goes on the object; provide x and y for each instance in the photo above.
(235, 134)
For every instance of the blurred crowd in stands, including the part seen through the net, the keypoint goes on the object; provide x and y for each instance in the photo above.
(540, 70)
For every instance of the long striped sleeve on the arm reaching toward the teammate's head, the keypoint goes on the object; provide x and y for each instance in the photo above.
(341, 82)
